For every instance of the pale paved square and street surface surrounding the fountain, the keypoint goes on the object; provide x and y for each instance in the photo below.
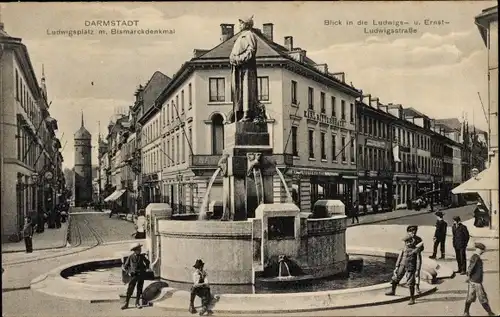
(20, 269)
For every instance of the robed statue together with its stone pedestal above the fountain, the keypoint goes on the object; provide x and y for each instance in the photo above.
(247, 165)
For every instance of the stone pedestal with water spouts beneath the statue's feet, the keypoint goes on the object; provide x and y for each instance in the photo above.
(247, 147)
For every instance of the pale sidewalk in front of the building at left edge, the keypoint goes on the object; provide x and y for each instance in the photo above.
(48, 239)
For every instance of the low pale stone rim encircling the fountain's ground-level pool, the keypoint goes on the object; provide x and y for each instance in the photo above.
(54, 284)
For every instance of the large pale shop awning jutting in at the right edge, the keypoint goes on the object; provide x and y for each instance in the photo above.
(484, 181)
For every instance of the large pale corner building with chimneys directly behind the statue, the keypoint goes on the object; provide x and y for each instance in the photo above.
(311, 121)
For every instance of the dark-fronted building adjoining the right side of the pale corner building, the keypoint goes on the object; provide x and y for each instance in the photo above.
(375, 157)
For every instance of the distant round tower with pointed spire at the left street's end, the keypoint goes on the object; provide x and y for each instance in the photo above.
(82, 191)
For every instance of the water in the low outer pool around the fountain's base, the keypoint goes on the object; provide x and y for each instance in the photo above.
(376, 270)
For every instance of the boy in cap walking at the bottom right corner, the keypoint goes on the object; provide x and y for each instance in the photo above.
(475, 274)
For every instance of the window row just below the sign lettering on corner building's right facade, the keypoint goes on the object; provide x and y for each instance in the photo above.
(336, 153)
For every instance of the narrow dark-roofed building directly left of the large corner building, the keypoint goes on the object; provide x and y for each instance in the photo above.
(149, 137)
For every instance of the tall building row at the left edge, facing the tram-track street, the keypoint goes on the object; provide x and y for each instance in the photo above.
(29, 150)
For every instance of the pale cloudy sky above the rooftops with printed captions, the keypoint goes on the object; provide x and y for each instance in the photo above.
(438, 69)
